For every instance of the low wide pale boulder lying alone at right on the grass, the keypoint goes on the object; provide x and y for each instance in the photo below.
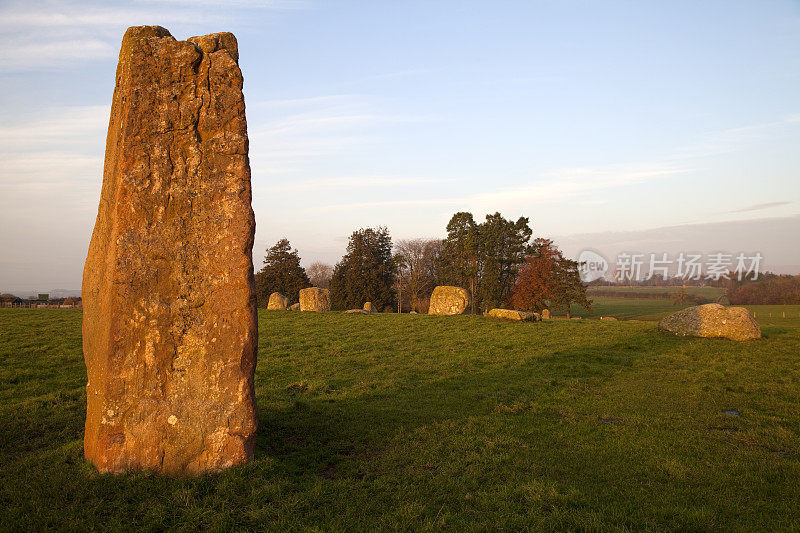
(713, 320)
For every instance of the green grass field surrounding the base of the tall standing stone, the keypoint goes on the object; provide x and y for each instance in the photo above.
(407, 422)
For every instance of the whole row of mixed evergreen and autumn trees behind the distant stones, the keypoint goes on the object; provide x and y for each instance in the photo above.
(495, 261)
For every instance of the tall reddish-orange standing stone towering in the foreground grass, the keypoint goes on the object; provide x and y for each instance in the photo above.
(169, 321)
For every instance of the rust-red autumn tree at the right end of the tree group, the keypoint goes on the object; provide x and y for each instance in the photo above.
(548, 280)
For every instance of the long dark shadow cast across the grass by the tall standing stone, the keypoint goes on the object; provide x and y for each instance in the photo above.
(313, 433)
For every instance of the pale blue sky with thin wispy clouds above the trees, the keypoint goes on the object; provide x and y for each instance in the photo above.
(613, 125)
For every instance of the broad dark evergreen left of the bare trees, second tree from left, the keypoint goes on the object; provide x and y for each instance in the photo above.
(366, 272)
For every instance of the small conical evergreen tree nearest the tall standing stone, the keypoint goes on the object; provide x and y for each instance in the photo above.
(281, 273)
